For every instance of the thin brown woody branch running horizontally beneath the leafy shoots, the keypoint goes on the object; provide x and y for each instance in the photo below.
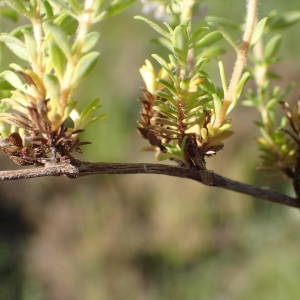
(205, 177)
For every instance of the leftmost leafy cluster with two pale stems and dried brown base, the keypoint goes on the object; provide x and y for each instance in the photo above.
(40, 122)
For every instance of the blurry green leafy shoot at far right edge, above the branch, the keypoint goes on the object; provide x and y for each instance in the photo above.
(278, 123)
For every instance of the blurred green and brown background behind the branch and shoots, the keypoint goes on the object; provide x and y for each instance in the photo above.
(150, 237)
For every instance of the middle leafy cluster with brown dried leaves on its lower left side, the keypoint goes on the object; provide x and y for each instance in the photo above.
(180, 102)
